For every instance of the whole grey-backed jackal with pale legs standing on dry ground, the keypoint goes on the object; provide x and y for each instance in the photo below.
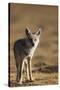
(23, 52)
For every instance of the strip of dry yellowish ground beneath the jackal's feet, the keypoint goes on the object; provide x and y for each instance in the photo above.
(39, 79)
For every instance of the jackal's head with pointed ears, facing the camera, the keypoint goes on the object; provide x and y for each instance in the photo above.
(33, 37)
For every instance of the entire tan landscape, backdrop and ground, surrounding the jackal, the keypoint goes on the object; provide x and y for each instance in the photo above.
(45, 59)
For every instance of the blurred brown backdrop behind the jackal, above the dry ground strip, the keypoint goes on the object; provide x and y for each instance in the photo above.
(34, 16)
